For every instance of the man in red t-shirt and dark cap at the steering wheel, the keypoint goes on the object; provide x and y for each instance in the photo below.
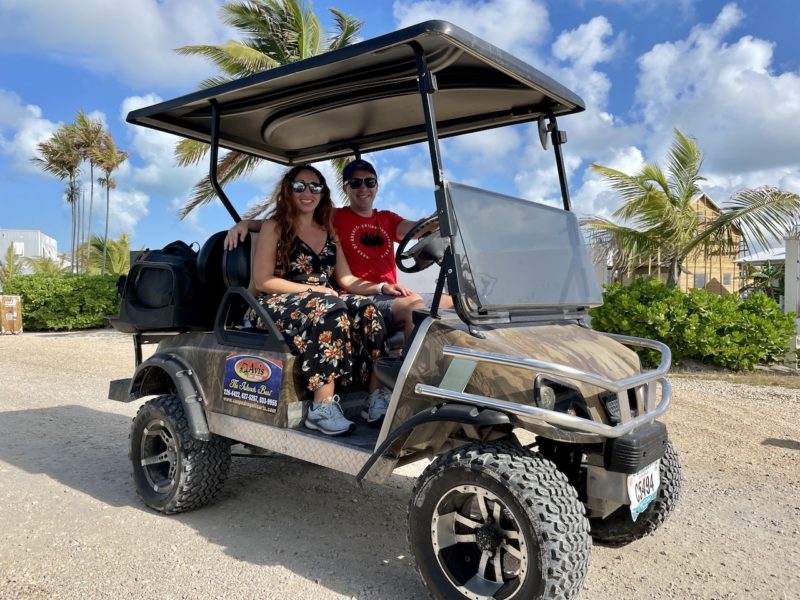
(367, 238)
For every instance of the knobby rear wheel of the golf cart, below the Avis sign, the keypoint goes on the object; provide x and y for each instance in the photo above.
(172, 471)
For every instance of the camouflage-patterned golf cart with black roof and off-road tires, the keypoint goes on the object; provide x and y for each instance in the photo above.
(543, 434)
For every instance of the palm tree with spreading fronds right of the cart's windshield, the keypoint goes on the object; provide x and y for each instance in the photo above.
(658, 217)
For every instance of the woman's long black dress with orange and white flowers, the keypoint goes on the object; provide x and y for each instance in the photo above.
(336, 338)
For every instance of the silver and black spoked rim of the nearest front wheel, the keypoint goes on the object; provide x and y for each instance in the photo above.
(478, 543)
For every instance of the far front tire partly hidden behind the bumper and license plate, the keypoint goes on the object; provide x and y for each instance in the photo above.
(618, 529)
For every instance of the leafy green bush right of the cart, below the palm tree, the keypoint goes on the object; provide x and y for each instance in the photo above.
(717, 330)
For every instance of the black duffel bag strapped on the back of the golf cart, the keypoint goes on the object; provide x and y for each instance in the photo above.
(162, 291)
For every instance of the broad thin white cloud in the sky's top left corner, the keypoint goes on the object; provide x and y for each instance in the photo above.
(133, 41)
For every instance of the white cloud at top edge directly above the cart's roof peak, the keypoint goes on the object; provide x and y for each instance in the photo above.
(513, 25)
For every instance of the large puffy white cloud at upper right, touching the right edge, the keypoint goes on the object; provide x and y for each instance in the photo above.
(727, 95)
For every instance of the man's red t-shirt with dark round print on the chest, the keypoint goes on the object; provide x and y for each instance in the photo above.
(368, 243)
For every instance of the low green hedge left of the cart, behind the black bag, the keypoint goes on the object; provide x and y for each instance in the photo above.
(53, 302)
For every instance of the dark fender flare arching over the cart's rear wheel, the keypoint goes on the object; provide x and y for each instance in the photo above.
(166, 372)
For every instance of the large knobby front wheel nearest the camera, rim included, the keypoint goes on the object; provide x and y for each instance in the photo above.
(529, 526)
